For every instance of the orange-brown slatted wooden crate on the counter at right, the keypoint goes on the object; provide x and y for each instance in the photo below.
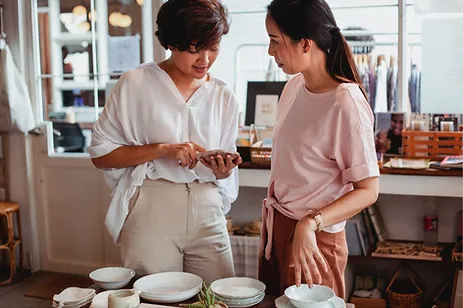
(433, 145)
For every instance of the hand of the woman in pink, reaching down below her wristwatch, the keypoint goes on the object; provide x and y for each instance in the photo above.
(306, 257)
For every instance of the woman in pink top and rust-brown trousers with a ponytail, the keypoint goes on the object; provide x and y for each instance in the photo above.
(324, 167)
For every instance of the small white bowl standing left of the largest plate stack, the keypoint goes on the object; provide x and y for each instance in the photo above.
(111, 278)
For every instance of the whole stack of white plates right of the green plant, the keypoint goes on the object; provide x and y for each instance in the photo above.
(239, 292)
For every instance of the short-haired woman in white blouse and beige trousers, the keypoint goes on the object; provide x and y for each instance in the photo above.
(167, 210)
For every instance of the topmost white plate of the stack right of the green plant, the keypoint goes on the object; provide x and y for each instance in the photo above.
(237, 287)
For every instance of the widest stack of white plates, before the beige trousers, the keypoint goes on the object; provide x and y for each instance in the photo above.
(169, 287)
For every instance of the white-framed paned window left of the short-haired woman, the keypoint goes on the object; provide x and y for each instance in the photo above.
(79, 40)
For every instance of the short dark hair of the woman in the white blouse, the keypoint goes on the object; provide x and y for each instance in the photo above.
(183, 23)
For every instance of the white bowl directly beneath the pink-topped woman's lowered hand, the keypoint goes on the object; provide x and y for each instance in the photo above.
(304, 297)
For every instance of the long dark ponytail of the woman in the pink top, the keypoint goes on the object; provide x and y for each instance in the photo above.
(340, 61)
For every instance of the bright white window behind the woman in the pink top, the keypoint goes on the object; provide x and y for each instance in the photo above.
(244, 55)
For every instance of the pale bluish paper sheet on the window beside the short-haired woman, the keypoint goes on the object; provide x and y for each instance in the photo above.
(124, 53)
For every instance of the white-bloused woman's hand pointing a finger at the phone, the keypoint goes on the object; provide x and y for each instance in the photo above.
(184, 153)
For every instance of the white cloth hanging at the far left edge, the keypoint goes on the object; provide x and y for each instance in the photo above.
(15, 104)
